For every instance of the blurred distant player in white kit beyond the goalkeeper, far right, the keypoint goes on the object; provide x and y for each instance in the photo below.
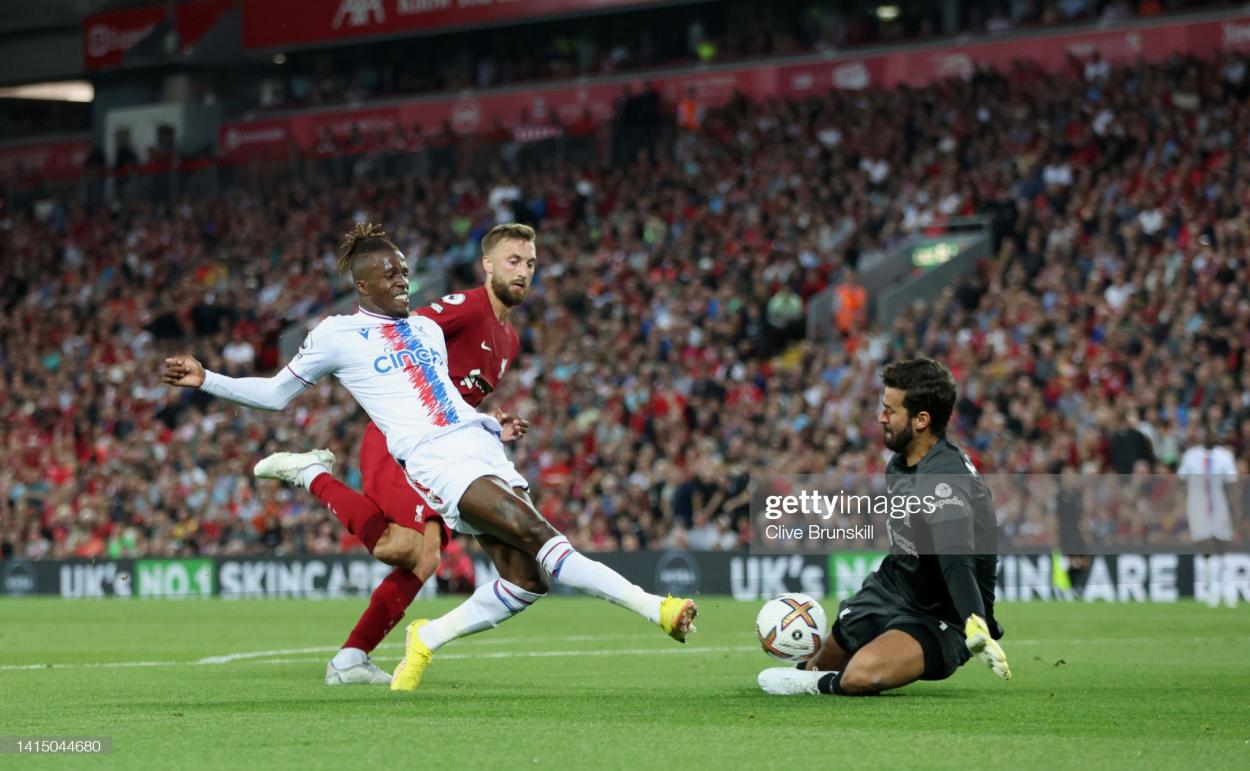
(1209, 470)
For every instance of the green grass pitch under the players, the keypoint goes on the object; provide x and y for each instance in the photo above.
(579, 684)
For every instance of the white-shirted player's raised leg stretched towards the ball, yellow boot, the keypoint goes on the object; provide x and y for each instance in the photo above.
(492, 507)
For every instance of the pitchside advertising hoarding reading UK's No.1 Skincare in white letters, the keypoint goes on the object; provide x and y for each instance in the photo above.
(1113, 578)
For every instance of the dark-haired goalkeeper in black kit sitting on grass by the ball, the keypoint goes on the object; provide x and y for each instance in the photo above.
(929, 608)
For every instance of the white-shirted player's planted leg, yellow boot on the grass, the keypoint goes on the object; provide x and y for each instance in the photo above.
(521, 585)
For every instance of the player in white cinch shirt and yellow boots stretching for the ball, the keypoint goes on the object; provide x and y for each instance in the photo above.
(397, 369)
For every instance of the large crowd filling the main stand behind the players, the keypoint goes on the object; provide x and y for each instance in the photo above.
(663, 357)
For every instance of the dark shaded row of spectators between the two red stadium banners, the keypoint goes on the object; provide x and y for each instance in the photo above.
(648, 39)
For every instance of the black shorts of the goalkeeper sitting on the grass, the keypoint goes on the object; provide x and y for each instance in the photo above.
(871, 613)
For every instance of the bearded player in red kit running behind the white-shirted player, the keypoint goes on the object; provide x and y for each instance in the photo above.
(392, 518)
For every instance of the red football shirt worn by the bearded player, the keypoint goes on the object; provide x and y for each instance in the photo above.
(481, 348)
